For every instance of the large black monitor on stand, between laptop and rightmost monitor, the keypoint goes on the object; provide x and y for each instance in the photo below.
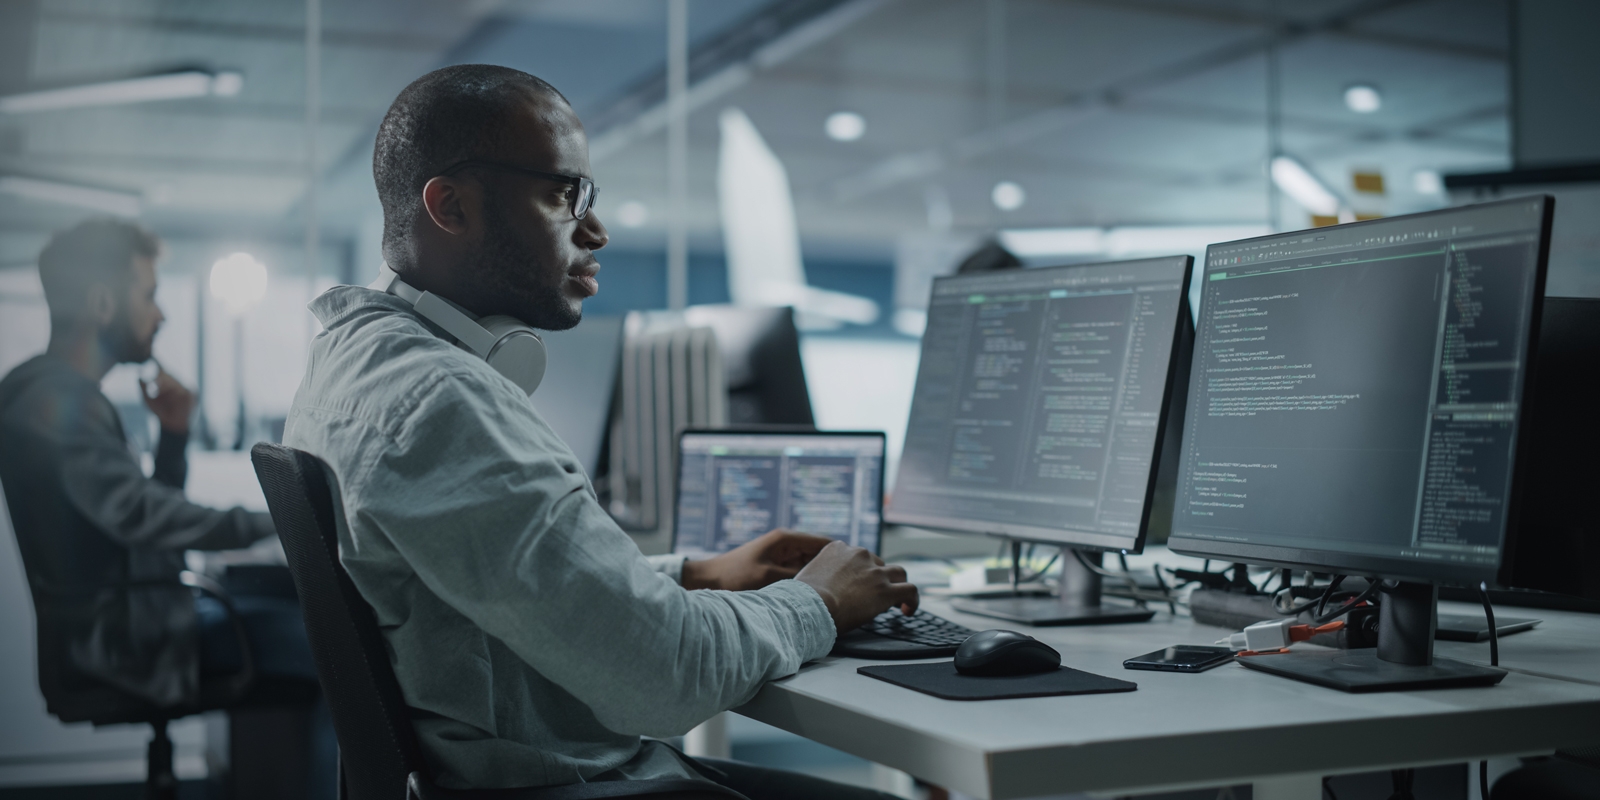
(1044, 402)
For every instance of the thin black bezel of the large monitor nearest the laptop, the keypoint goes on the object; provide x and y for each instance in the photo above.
(1095, 542)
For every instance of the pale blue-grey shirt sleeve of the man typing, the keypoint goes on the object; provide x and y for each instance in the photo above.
(476, 498)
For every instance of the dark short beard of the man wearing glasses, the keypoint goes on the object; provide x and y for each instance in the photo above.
(518, 276)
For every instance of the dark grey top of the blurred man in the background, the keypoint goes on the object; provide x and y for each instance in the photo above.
(102, 543)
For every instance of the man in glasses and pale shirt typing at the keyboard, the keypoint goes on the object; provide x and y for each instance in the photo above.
(529, 634)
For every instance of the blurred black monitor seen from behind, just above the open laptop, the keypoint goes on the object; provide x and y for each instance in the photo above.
(761, 358)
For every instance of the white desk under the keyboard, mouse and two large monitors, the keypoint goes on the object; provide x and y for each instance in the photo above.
(1222, 727)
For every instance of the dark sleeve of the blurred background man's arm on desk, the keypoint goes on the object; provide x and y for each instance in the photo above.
(105, 484)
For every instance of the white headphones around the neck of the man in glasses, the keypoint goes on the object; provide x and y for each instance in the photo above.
(506, 343)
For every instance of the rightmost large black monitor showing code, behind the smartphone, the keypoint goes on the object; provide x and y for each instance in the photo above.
(1356, 406)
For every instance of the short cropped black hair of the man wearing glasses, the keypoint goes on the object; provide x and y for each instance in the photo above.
(441, 119)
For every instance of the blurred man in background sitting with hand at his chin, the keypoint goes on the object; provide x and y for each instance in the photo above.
(87, 519)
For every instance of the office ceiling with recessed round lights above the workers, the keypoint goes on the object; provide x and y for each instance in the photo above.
(1105, 111)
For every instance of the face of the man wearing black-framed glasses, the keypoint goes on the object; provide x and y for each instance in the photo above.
(535, 258)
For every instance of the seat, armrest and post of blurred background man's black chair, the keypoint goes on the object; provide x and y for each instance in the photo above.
(79, 698)
